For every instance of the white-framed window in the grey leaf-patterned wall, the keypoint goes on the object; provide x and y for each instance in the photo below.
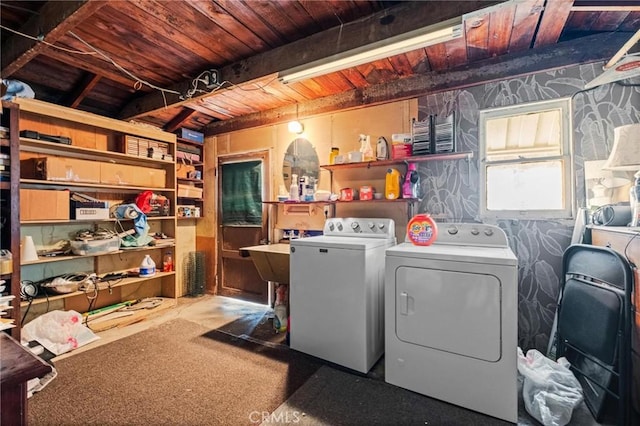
(525, 155)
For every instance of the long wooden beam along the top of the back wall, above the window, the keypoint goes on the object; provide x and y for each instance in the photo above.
(578, 51)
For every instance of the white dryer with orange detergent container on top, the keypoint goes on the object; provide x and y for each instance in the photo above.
(451, 319)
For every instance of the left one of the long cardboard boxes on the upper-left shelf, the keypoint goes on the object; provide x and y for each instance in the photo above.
(60, 169)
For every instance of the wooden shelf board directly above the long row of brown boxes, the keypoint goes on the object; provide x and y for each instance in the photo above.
(52, 148)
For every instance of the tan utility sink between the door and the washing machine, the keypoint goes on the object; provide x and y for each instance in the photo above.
(271, 260)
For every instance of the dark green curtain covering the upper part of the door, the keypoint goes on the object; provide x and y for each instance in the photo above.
(242, 193)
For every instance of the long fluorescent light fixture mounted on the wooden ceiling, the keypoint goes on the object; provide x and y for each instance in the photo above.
(416, 39)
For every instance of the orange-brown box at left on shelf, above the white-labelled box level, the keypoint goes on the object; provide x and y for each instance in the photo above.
(44, 204)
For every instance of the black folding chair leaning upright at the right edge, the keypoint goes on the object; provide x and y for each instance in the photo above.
(594, 327)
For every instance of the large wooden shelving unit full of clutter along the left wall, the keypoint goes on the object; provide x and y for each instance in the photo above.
(99, 139)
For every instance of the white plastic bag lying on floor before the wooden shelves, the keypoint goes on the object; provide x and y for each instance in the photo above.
(58, 331)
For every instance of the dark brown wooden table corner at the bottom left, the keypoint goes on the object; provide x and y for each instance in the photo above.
(18, 365)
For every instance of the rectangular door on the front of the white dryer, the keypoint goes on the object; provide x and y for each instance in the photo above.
(451, 311)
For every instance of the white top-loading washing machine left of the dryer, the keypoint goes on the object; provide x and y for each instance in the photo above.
(336, 291)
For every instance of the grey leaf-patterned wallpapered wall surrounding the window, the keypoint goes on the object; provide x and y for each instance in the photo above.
(450, 188)
